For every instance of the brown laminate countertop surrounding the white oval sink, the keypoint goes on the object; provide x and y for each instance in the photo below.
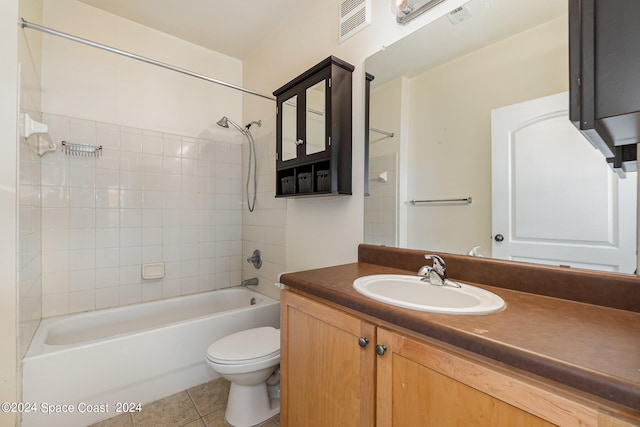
(595, 349)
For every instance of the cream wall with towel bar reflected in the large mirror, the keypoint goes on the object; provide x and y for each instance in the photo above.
(450, 131)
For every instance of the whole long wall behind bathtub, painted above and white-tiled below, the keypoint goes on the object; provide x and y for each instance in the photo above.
(169, 183)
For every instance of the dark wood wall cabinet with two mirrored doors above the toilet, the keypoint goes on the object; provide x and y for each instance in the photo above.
(313, 131)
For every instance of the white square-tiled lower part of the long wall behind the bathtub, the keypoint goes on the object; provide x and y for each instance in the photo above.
(150, 197)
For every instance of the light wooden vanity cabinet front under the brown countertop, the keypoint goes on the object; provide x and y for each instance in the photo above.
(342, 369)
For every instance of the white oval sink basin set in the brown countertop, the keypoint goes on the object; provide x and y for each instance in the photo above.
(411, 292)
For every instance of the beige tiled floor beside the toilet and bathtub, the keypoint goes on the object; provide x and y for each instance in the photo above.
(200, 406)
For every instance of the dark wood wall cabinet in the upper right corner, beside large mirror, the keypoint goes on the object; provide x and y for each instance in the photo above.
(604, 64)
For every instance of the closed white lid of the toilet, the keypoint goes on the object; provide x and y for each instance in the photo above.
(250, 345)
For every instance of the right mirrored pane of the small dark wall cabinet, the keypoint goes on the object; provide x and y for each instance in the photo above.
(316, 118)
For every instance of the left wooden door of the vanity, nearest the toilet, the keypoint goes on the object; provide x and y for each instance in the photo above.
(327, 378)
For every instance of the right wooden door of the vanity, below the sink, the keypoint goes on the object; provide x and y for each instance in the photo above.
(420, 385)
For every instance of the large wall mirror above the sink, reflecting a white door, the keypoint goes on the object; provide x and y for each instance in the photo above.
(432, 101)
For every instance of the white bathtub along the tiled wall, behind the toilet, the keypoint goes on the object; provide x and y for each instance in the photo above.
(87, 367)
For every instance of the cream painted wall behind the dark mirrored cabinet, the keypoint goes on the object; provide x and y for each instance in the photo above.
(324, 231)
